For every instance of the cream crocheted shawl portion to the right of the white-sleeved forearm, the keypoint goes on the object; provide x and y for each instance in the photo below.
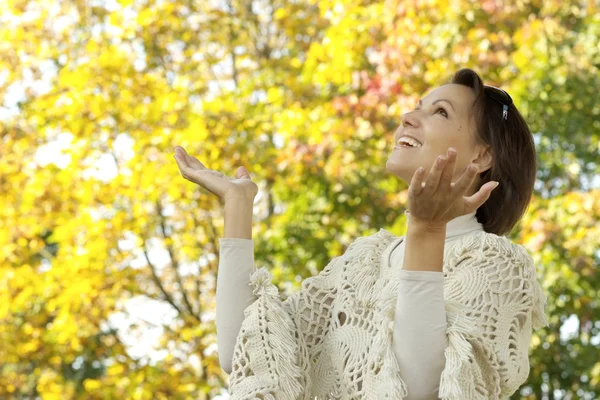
(493, 303)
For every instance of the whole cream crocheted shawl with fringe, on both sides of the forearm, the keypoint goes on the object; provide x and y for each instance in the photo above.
(333, 338)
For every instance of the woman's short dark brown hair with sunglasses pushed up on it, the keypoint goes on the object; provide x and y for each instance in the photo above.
(514, 159)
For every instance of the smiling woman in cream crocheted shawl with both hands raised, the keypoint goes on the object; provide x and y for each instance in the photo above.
(445, 311)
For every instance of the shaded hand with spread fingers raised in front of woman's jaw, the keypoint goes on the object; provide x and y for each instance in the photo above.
(438, 200)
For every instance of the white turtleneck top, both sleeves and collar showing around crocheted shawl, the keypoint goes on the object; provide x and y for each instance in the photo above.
(420, 325)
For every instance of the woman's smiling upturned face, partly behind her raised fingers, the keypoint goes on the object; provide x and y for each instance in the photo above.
(440, 120)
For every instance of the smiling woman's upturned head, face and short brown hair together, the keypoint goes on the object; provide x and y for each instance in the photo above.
(485, 128)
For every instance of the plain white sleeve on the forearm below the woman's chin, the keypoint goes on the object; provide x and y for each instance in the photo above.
(420, 332)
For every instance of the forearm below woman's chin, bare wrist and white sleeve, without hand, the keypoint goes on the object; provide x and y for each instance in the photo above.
(420, 317)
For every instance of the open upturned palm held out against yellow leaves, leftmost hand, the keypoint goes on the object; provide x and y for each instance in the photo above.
(222, 186)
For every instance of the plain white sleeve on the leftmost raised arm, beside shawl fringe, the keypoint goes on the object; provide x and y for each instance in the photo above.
(234, 293)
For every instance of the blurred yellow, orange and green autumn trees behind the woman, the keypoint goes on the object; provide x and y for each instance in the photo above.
(102, 240)
